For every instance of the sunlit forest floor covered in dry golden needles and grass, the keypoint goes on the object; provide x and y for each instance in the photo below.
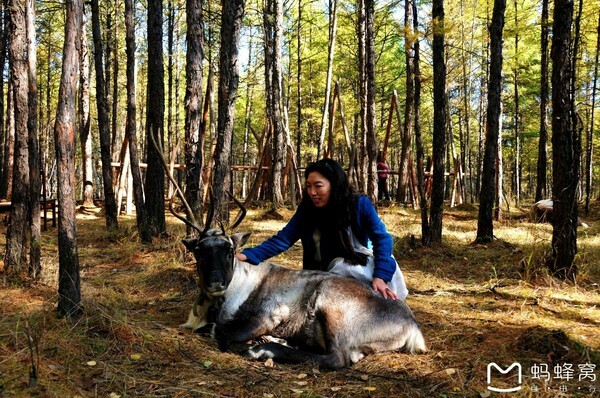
(476, 304)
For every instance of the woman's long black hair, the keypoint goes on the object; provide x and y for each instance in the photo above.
(341, 208)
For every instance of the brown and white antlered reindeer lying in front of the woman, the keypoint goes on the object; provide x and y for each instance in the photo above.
(325, 318)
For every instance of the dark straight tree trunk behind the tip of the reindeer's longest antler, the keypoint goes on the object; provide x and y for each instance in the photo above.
(155, 180)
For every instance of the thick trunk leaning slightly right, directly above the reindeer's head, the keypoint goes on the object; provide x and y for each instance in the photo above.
(231, 21)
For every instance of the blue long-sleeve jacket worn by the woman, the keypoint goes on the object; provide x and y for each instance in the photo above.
(368, 228)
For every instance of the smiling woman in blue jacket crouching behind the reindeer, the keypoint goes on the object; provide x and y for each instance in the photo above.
(335, 225)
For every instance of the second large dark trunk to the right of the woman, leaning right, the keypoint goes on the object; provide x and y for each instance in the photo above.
(485, 226)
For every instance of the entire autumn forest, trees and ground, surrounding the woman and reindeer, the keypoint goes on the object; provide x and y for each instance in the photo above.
(117, 117)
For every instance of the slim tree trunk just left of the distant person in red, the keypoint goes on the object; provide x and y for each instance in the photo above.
(371, 110)
